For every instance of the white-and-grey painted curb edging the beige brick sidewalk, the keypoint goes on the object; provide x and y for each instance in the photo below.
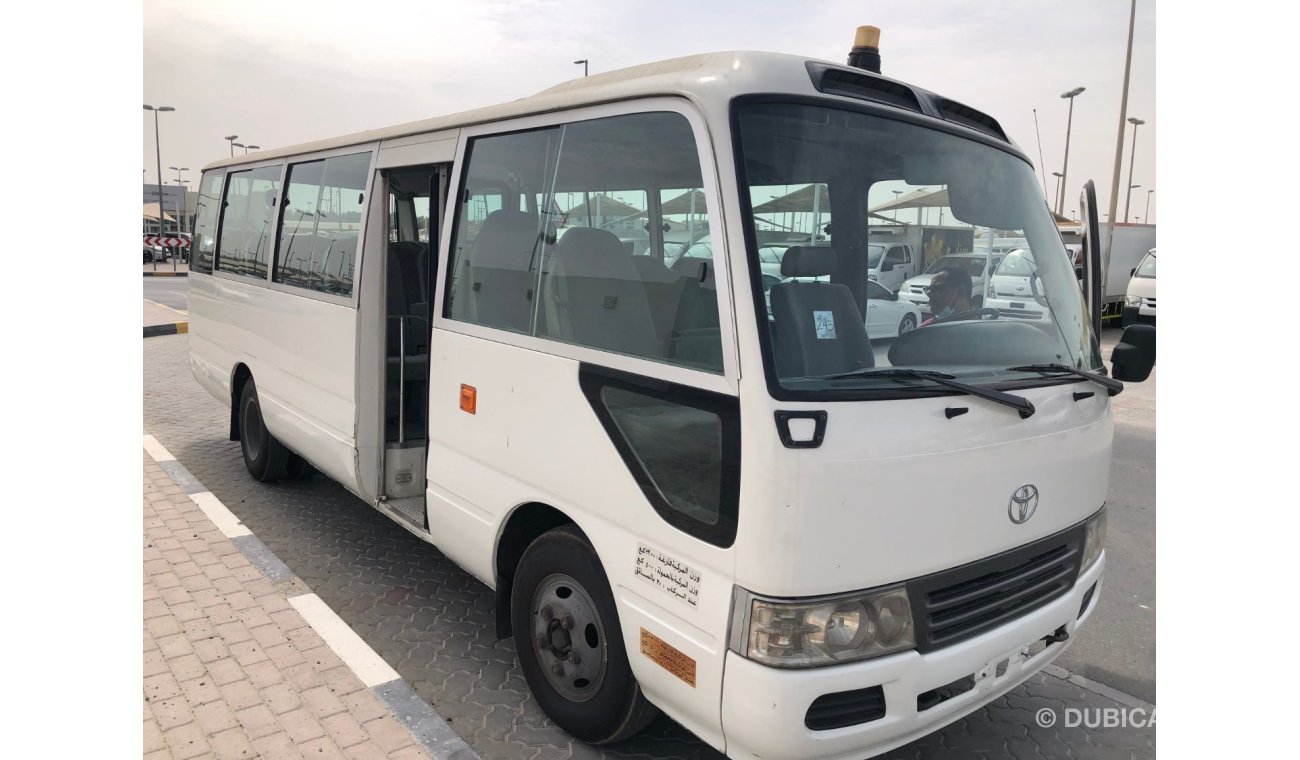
(426, 726)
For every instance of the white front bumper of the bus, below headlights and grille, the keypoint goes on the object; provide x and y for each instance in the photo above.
(765, 709)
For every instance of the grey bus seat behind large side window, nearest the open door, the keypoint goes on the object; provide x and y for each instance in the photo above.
(500, 271)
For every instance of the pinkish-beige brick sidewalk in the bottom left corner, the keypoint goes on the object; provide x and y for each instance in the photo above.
(231, 668)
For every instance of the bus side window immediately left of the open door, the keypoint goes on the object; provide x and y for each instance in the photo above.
(322, 224)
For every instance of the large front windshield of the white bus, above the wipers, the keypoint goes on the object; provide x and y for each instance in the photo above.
(957, 201)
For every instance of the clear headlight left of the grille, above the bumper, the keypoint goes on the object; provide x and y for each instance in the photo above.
(805, 635)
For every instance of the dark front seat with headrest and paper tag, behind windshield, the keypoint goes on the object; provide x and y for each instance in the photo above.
(817, 327)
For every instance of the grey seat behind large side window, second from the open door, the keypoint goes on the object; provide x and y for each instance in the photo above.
(596, 297)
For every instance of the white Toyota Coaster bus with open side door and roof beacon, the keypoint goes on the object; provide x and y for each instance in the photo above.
(697, 489)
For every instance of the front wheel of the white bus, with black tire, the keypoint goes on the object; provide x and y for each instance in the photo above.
(596, 697)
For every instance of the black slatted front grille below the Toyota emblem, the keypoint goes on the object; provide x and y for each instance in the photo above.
(956, 605)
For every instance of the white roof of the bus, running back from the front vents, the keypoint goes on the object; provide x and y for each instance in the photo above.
(704, 79)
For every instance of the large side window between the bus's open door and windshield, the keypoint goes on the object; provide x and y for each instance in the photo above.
(571, 275)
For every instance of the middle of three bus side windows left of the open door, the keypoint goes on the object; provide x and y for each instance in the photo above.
(246, 223)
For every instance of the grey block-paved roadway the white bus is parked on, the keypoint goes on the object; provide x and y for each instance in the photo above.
(434, 623)
